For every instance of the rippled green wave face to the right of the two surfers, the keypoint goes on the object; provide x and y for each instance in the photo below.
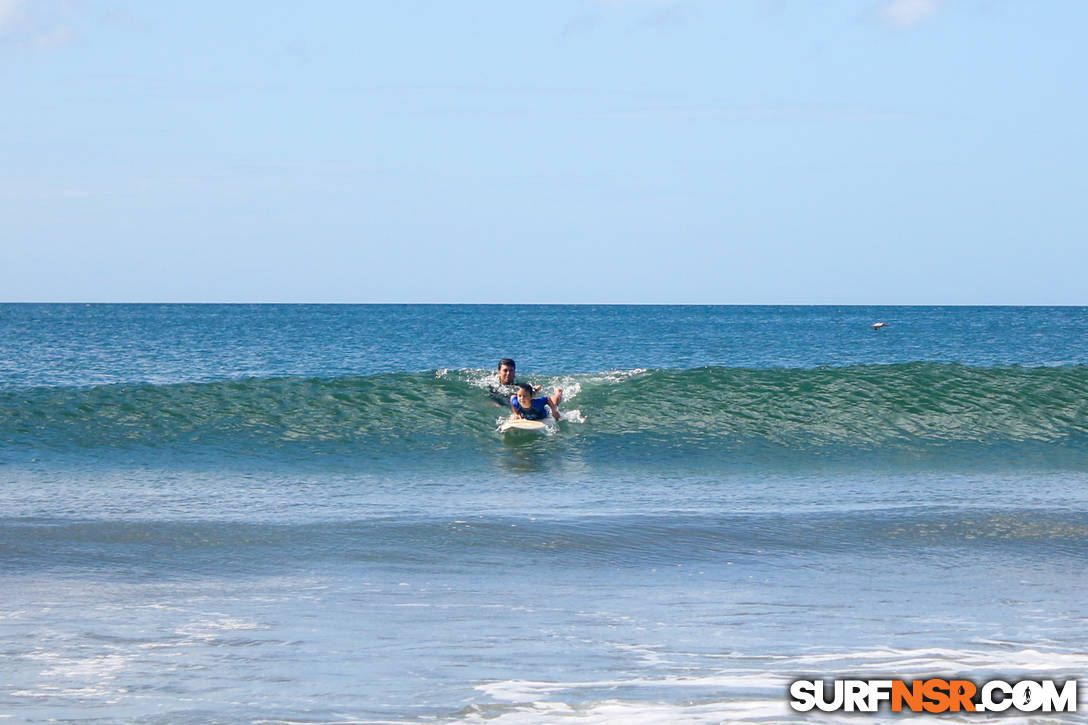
(867, 405)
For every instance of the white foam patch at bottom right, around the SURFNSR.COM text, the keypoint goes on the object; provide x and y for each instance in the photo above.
(756, 691)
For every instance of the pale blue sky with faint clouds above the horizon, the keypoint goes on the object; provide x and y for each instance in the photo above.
(597, 152)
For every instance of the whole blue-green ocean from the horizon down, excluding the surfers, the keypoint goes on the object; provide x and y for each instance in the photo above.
(306, 514)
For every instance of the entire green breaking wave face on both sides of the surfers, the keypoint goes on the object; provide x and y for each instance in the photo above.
(918, 408)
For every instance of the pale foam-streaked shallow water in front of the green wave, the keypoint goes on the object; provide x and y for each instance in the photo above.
(449, 612)
